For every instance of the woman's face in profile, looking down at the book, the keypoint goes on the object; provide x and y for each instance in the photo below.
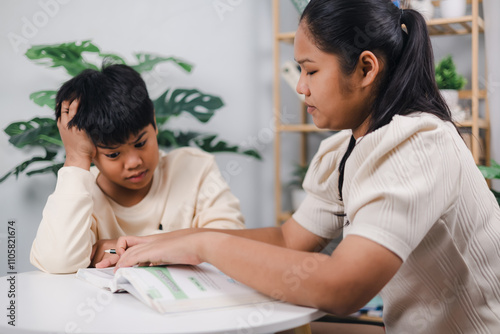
(336, 101)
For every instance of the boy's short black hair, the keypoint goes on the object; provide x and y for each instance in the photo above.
(113, 103)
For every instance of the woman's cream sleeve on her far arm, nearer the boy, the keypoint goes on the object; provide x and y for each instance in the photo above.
(321, 211)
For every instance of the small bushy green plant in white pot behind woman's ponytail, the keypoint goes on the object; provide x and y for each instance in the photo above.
(449, 83)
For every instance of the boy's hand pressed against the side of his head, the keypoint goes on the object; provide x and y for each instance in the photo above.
(80, 150)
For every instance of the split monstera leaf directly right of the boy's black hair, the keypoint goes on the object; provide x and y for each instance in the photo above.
(201, 106)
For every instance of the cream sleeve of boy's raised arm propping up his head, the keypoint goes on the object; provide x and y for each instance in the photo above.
(65, 236)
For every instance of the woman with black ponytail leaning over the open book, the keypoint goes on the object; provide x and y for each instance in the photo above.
(420, 224)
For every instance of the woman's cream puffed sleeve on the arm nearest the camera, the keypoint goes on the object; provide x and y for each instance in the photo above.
(401, 181)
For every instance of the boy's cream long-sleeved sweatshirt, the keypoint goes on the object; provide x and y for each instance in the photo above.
(187, 191)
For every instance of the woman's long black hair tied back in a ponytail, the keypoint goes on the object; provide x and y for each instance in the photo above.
(399, 39)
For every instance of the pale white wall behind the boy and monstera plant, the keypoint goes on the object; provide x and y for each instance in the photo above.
(232, 53)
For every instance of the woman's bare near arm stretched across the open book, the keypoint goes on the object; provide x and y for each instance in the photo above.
(340, 284)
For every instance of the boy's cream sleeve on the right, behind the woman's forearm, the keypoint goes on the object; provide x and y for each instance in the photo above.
(216, 206)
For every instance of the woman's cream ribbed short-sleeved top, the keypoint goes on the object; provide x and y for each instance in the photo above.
(412, 186)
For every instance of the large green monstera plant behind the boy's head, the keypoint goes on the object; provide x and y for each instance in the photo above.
(41, 132)
